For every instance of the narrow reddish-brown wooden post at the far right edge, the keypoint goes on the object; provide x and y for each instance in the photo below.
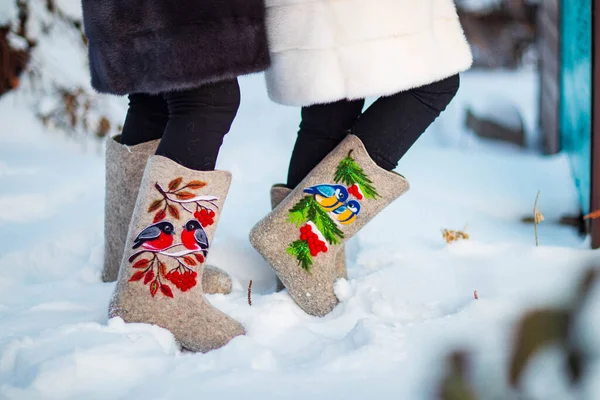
(595, 181)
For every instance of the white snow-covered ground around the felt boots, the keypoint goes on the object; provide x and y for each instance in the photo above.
(408, 300)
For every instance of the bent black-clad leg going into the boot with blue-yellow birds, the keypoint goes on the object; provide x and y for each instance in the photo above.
(393, 124)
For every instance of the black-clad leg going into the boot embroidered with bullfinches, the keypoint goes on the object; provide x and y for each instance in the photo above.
(198, 121)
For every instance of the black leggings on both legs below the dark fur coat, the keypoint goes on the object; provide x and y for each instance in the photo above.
(191, 123)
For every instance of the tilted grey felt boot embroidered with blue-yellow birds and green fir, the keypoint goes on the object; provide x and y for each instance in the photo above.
(301, 238)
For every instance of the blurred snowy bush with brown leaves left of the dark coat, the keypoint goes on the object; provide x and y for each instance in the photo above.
(49, 68)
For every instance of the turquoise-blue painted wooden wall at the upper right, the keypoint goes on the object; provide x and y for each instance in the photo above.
(576, 92)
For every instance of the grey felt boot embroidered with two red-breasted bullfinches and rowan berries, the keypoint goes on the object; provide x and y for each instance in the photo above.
(169, 238)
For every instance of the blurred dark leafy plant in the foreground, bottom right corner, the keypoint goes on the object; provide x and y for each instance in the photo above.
(556, 335)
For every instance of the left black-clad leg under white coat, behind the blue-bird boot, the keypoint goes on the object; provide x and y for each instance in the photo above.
(323, 127)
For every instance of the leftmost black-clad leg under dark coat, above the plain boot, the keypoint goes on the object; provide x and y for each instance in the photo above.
(146, 119)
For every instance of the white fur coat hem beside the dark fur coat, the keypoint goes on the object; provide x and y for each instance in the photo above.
(327, 50)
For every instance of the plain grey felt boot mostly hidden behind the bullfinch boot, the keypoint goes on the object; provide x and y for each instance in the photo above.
(124, 170)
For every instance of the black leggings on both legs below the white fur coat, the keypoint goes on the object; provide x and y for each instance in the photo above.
(388, 128)
